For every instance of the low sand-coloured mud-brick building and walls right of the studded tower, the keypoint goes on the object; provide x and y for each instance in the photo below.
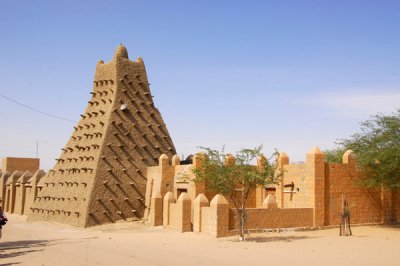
(308, 195)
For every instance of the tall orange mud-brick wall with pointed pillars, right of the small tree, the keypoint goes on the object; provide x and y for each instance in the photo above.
(321, 185)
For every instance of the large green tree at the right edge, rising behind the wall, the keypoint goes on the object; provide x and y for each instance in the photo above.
(377, 148)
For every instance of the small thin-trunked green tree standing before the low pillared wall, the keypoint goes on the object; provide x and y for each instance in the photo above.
(237, 177)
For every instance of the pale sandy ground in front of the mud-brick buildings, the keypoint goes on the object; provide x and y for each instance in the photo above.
(26, 243)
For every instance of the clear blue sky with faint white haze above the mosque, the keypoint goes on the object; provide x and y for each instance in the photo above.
(285, 74)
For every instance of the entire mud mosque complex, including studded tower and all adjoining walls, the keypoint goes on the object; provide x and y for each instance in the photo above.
(120, 163)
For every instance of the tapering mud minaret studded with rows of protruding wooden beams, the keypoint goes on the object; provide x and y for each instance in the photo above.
(100, 176)
